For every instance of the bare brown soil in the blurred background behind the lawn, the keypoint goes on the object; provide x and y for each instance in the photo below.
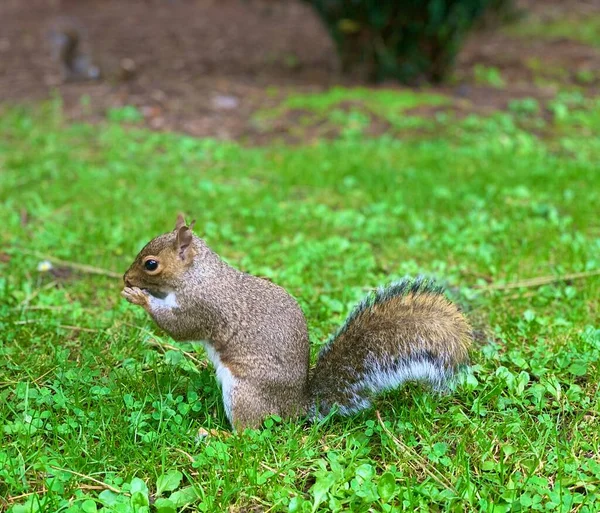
(204, 67)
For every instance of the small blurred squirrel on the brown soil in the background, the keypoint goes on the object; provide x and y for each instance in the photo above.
(66, 41)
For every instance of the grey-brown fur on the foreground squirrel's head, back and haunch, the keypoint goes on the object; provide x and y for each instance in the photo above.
(257, 329)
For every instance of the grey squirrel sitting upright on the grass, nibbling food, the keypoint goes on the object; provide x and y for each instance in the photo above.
(256, 335)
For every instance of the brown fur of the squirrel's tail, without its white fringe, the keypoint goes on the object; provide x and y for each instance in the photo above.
(401, 326)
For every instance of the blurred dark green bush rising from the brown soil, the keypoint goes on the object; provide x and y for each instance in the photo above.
(406, 40)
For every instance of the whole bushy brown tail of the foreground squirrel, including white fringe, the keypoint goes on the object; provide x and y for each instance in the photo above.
(406, 331)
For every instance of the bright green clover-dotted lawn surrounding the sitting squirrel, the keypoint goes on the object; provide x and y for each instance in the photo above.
(98, 409)
